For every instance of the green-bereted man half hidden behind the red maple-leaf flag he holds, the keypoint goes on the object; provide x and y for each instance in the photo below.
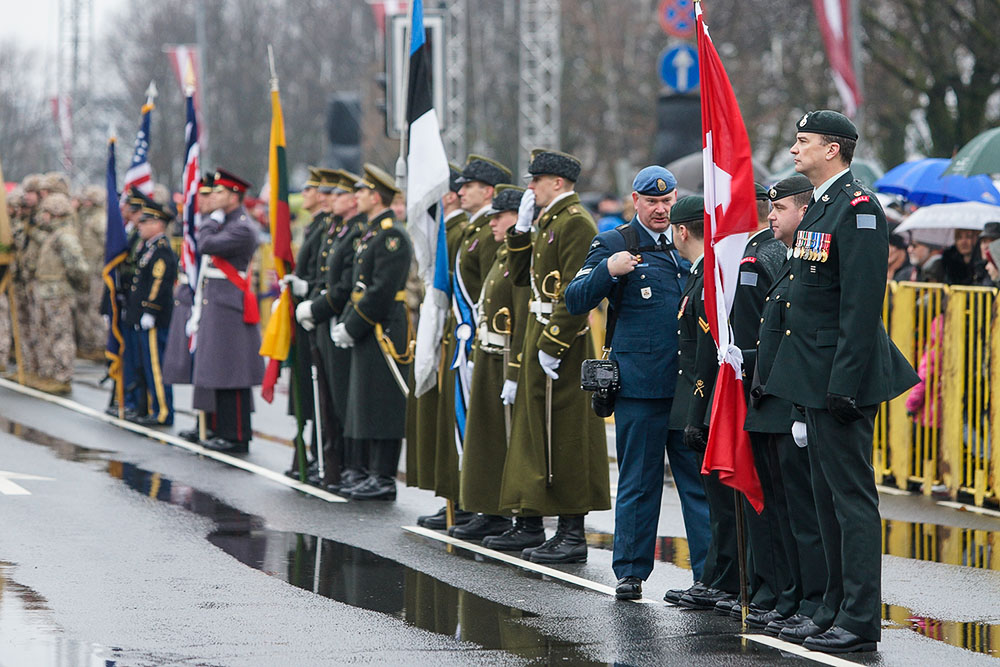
(698, 368)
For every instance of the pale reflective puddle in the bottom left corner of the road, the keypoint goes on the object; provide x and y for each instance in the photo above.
(31, 637)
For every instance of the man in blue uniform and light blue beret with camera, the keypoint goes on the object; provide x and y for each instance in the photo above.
(651, 284)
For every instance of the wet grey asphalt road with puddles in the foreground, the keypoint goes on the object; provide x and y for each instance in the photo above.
(135, 552)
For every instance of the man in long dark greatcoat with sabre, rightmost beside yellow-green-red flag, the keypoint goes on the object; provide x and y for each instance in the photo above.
(377, 329)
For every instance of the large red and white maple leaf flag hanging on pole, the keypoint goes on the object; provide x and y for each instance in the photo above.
(730, 217)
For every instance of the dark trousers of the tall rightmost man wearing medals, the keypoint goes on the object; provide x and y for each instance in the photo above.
(849, 522)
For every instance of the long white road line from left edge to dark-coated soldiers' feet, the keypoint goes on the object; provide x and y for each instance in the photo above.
(170, 439)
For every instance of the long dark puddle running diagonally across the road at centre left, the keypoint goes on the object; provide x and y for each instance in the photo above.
(357, 577)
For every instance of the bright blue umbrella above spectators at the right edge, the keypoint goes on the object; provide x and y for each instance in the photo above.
(920, 182)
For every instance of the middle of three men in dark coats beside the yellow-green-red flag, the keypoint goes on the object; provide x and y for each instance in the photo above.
(325, 309)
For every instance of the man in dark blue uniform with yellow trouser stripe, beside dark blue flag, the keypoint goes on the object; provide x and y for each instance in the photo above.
(149, 307)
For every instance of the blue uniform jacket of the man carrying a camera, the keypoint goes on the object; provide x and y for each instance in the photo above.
(645, 340)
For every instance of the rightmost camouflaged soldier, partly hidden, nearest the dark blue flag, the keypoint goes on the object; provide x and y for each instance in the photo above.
(91, 223)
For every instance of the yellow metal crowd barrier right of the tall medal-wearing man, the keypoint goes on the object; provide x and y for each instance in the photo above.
(947, 332)
